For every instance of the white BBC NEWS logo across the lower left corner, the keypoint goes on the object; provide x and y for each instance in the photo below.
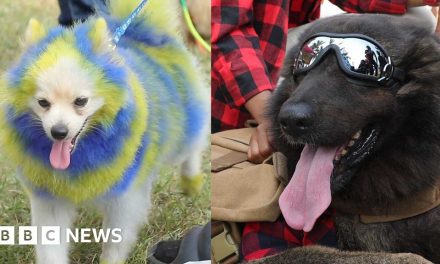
(51, 235)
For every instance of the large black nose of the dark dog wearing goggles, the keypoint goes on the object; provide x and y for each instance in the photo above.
(296, 118)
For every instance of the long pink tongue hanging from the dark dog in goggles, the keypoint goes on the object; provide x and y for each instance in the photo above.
(308, 194)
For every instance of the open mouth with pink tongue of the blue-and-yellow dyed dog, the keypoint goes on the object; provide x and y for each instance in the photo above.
(62, 150)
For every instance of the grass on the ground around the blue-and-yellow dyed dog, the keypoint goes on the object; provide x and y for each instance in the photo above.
(172, 214)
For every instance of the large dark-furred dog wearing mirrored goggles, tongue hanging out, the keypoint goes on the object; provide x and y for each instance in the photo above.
(357, 115)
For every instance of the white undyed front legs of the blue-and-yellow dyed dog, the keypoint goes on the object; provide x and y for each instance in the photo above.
(129, 212)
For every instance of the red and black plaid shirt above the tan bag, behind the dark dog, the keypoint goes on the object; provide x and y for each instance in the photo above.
(248, 45)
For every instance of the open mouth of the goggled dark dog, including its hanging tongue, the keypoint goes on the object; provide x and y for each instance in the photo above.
(320, 172)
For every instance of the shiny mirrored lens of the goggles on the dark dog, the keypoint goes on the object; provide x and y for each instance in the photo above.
(358, 55)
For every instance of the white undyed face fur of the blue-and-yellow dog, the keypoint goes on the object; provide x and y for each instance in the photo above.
(60, 85)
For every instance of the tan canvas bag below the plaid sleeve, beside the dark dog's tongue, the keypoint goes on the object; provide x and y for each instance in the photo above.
(243, 191)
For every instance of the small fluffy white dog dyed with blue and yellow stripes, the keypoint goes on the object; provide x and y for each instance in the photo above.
(88, 122)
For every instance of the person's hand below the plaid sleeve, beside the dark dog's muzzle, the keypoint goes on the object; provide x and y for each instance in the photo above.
(259, 145)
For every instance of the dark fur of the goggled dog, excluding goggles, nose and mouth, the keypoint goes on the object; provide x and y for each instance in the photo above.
(407, 156)
